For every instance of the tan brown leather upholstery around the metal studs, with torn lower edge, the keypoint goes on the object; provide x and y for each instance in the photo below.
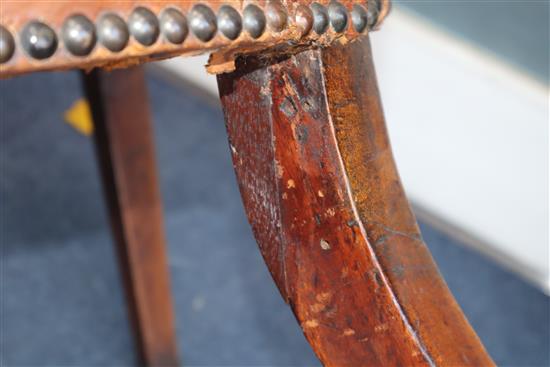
(16, 14)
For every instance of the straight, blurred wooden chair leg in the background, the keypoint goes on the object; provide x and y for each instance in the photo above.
(125, 149)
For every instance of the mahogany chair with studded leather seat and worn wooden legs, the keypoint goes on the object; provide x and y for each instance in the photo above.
(310, 151)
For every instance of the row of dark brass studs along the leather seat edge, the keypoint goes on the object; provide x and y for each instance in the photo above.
(80, 35)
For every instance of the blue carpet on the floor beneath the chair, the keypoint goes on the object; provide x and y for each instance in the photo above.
(61, 298)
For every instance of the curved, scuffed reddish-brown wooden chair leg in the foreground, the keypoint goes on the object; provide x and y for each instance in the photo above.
(322, 193)
